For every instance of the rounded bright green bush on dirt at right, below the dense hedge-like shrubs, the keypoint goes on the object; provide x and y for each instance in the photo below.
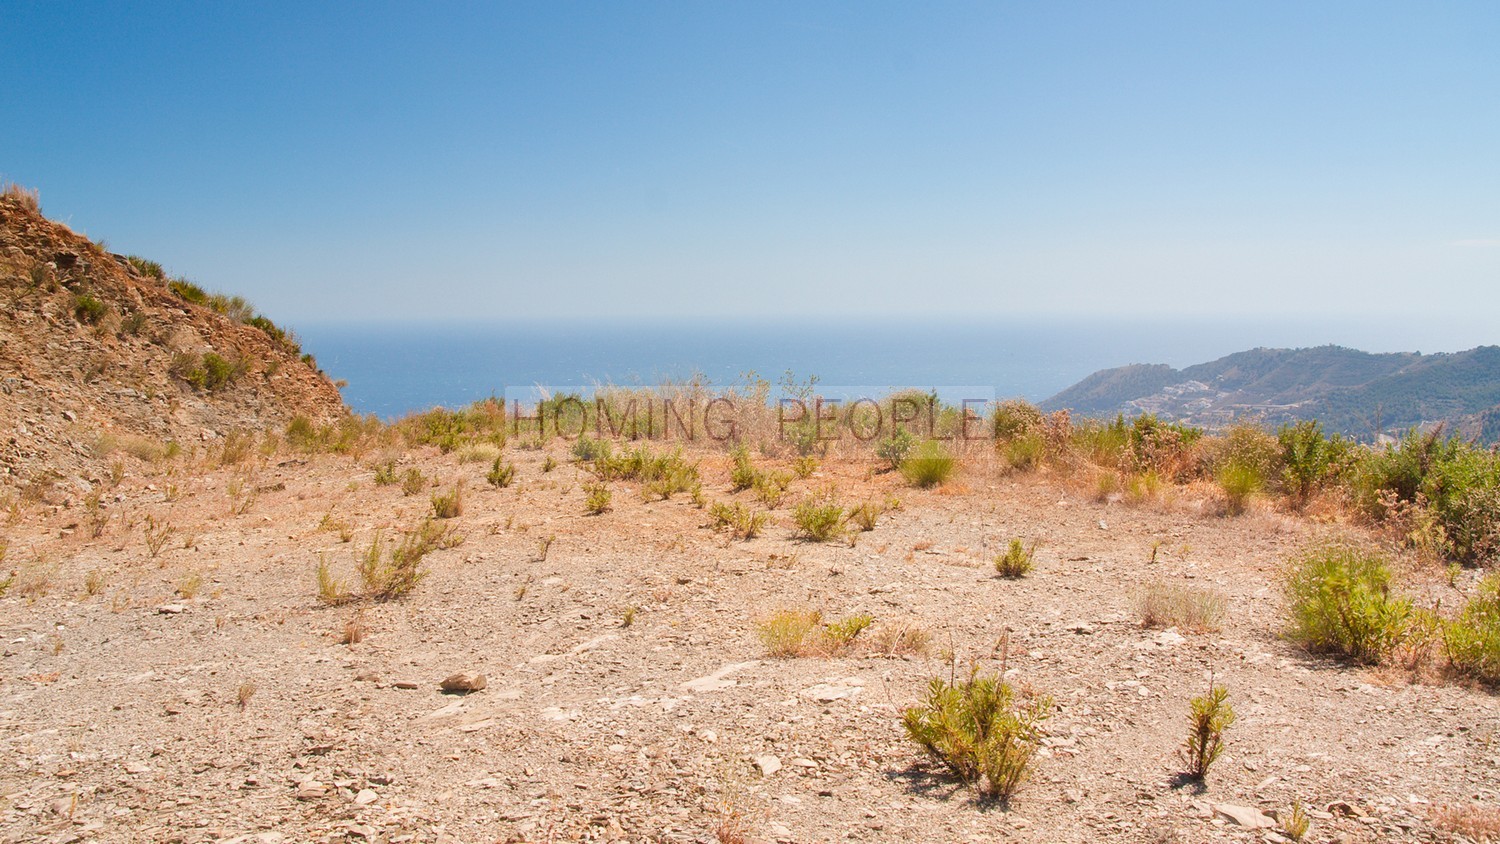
(1340, 603)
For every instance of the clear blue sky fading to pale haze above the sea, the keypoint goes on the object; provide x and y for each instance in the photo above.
(356, 161)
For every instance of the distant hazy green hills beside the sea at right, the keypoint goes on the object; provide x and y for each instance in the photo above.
(1355, 394)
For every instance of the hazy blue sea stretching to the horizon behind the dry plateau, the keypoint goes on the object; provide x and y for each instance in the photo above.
(398, 368)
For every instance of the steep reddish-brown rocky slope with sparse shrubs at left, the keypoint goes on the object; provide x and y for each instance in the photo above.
(100, 353)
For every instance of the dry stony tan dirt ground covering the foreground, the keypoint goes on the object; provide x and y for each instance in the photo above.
(239, 714)
